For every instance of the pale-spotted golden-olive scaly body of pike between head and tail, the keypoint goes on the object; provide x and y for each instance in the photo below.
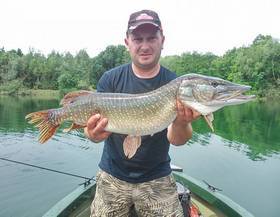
(133, 114)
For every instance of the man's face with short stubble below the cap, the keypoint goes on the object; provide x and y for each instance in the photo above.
(145, 44)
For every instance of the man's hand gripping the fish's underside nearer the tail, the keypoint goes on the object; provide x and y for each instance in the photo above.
(95, 128)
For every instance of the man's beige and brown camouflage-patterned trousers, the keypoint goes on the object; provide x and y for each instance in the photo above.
(115, 197)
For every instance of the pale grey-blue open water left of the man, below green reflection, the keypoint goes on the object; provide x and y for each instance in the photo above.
(22, 185)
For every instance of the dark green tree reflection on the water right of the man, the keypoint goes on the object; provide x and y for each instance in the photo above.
(254, 125)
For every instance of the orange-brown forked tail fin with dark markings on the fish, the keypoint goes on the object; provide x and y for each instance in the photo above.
(41, 120)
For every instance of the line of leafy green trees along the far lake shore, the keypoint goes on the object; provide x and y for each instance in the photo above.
(257, 65)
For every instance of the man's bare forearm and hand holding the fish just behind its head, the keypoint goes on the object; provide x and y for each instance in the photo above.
(180, 131)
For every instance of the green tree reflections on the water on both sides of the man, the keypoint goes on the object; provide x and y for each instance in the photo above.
(253, 127)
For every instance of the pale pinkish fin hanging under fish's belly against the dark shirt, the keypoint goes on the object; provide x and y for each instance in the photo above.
(130, 145)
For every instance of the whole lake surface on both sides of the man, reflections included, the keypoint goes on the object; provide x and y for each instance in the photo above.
(242, 157)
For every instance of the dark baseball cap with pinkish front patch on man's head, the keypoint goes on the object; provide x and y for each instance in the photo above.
(143, 17)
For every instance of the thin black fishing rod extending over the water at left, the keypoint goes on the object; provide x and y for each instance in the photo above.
(87, 179)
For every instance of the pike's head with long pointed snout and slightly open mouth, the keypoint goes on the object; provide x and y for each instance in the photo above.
(207, 94)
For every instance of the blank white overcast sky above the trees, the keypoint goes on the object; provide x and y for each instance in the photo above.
(214, 26)
